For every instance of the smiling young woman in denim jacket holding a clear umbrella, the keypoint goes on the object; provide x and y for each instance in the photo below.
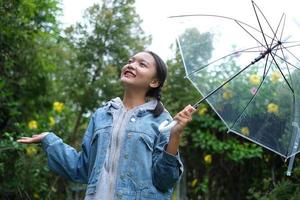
(124, 156)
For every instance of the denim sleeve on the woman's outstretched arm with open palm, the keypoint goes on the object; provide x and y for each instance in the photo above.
(65, 160)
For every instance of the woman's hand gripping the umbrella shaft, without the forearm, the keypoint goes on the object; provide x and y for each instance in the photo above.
(182, 118)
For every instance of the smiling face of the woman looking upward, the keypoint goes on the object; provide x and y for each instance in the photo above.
(140, 72)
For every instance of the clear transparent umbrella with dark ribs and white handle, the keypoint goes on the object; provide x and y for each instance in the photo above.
(248, 73)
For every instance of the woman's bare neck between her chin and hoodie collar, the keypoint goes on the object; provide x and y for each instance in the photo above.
(132, 99)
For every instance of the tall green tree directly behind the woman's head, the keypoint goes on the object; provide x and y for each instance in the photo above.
(101, 45)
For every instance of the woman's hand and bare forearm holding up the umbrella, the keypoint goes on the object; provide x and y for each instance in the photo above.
(182, 118)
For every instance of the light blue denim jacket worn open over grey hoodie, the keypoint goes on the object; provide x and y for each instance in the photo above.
(145, 171)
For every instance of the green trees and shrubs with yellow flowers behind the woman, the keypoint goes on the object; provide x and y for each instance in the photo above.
(53, 79)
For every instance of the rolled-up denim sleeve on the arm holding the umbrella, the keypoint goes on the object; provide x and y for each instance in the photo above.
(167, 168)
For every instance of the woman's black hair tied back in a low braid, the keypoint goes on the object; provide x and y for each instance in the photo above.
(161, 75)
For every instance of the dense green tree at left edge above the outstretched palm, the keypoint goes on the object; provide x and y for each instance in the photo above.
(28, 29)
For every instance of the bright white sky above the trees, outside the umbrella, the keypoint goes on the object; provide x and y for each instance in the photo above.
(155, 13)
